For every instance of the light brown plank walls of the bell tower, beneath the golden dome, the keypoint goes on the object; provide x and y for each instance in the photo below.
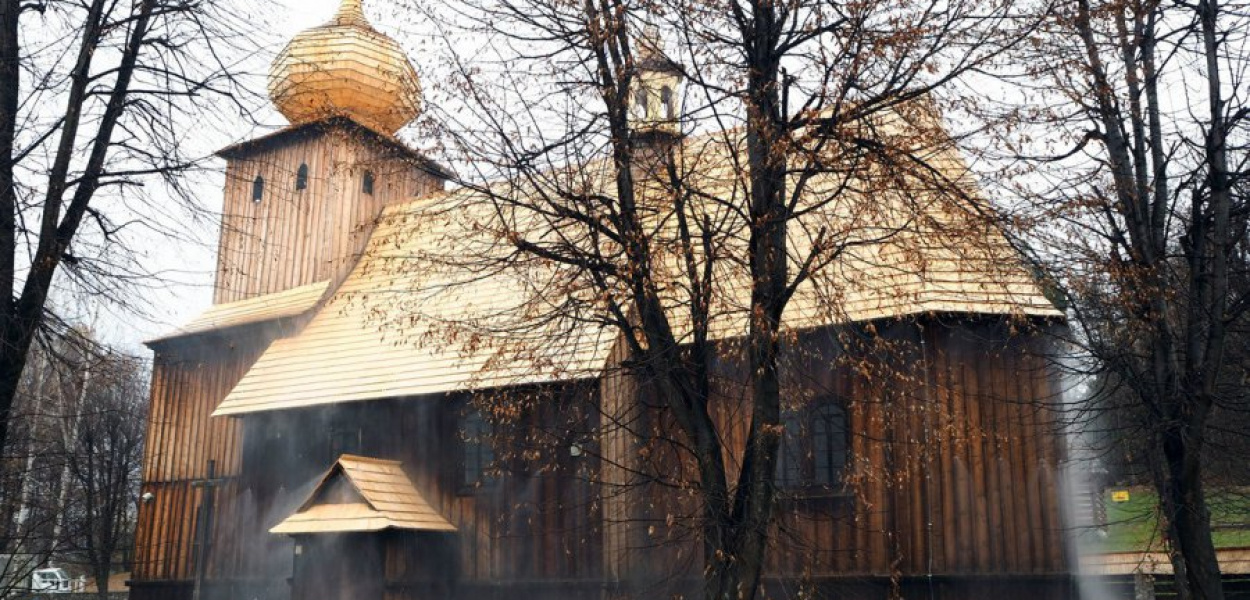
(299, 237)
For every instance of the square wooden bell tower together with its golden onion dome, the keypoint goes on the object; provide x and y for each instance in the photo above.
(301, 203)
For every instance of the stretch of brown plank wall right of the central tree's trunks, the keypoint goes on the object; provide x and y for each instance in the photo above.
(954, 464)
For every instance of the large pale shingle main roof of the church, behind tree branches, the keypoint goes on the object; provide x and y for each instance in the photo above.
(408, 323)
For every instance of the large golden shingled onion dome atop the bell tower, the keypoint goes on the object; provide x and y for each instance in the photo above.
(346, 68)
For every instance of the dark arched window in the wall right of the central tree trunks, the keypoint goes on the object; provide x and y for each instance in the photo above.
(814, 449)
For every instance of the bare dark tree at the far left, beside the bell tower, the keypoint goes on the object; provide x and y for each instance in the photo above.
(94, 99)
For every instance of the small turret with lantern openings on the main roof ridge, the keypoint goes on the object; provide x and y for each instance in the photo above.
(656, 106)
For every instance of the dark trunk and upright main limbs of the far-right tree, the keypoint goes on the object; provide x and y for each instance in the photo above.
(1186, 359)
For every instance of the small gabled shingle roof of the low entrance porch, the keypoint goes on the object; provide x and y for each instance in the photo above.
(361, 494)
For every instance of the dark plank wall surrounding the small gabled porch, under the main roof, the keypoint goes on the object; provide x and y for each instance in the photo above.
(526, 527)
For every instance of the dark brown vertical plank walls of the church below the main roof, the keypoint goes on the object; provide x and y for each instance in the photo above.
(954, 474)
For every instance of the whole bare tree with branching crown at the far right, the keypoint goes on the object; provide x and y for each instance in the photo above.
(1132, 129)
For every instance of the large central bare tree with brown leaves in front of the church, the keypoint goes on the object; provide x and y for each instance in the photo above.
(612, 218)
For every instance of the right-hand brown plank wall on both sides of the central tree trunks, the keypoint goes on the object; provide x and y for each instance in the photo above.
(953, 463)
